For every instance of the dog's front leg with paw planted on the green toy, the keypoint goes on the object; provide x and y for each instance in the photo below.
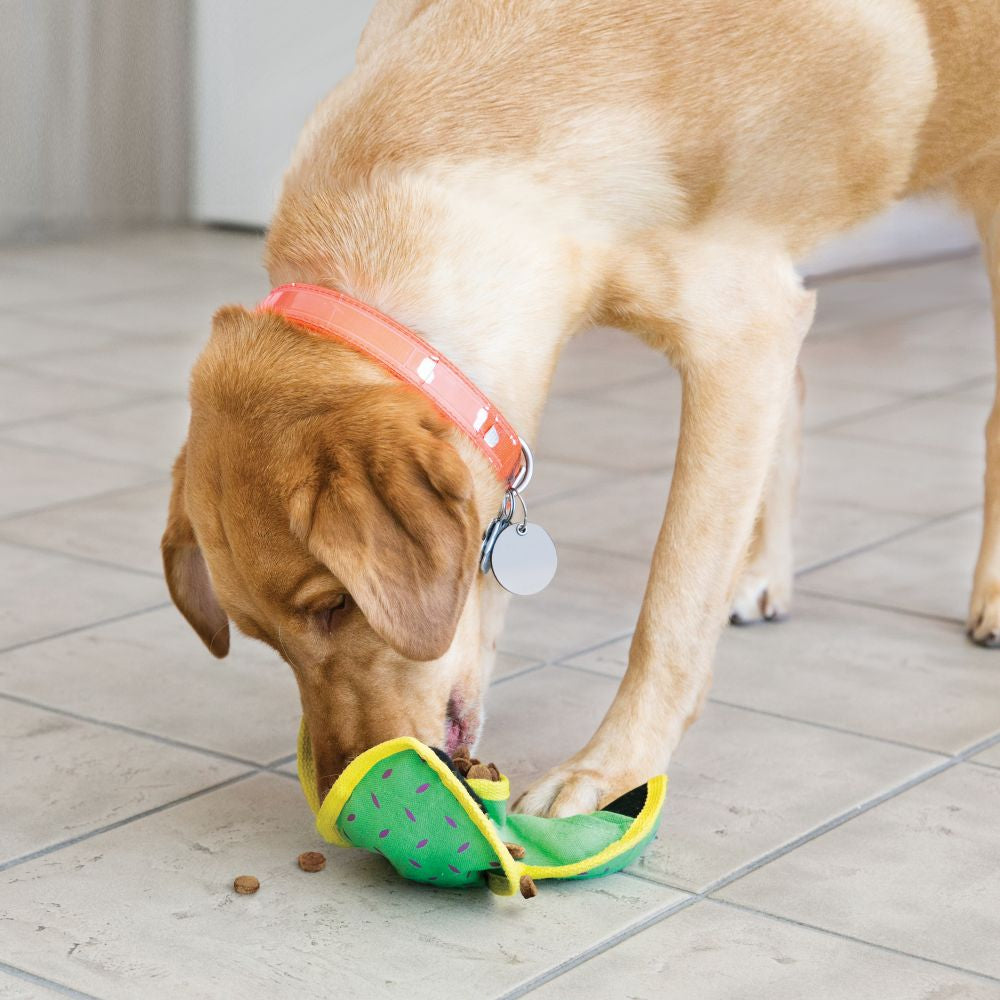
(736, 386)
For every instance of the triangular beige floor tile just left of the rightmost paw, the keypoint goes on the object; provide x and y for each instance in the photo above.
(929, 571)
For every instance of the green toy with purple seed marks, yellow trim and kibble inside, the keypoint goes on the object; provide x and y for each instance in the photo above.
(411, 804)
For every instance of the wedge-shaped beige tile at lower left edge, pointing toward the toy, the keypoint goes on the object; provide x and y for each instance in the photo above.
(88, 776)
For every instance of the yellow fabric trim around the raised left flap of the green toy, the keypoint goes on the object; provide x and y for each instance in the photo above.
(328, 813)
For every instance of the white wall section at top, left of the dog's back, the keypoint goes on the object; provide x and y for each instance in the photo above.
(260, 67)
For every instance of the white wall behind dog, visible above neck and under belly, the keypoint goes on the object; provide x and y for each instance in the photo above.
(258, 78)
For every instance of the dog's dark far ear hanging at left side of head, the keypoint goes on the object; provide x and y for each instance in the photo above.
(186, 572)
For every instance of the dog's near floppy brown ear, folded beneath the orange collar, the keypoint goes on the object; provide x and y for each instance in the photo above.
(389, 512)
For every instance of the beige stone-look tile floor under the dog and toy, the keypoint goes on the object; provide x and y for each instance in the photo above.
(833, 824)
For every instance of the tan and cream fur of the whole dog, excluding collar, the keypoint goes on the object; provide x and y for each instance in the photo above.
(498, 175)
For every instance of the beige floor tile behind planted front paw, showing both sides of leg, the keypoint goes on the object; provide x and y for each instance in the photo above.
(741, 783)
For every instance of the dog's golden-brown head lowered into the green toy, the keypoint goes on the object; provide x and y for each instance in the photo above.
(321, 507)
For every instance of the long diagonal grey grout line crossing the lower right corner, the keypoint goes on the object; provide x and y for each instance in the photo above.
(750, 866)
